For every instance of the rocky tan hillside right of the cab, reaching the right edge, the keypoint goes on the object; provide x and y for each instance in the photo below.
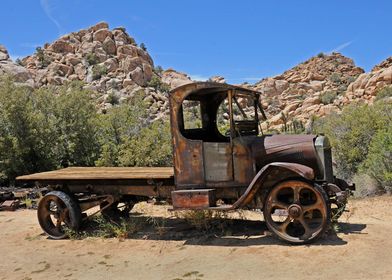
(317, 87)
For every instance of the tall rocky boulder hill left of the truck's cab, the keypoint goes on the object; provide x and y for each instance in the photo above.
(109, 62)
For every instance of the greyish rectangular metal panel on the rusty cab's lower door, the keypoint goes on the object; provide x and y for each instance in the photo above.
(218, 163)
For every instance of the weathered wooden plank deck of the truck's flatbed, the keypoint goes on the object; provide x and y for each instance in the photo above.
(102, 173)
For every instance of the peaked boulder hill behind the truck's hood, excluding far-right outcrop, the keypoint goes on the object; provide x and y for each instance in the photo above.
(313, 88)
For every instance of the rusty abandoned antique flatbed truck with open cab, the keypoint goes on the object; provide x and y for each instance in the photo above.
(222, 161)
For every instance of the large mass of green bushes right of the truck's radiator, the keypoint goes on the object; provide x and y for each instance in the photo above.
(361, 137)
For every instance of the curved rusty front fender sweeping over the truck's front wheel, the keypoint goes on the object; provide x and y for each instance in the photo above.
(282, 171)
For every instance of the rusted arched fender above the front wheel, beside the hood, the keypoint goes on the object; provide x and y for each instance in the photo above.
(261, 177)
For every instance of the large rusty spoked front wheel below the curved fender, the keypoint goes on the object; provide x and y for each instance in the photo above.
(296, 211)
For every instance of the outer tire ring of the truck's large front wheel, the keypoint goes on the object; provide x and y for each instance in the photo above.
(325, 227)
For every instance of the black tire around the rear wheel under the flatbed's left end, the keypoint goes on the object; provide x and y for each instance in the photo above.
(75, 214)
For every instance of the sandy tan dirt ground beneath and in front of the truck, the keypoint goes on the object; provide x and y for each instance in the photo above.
(361, 249)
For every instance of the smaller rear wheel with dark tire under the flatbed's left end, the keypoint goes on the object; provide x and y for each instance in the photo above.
(58, 212)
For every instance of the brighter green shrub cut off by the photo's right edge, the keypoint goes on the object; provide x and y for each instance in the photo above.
(378, 162)
